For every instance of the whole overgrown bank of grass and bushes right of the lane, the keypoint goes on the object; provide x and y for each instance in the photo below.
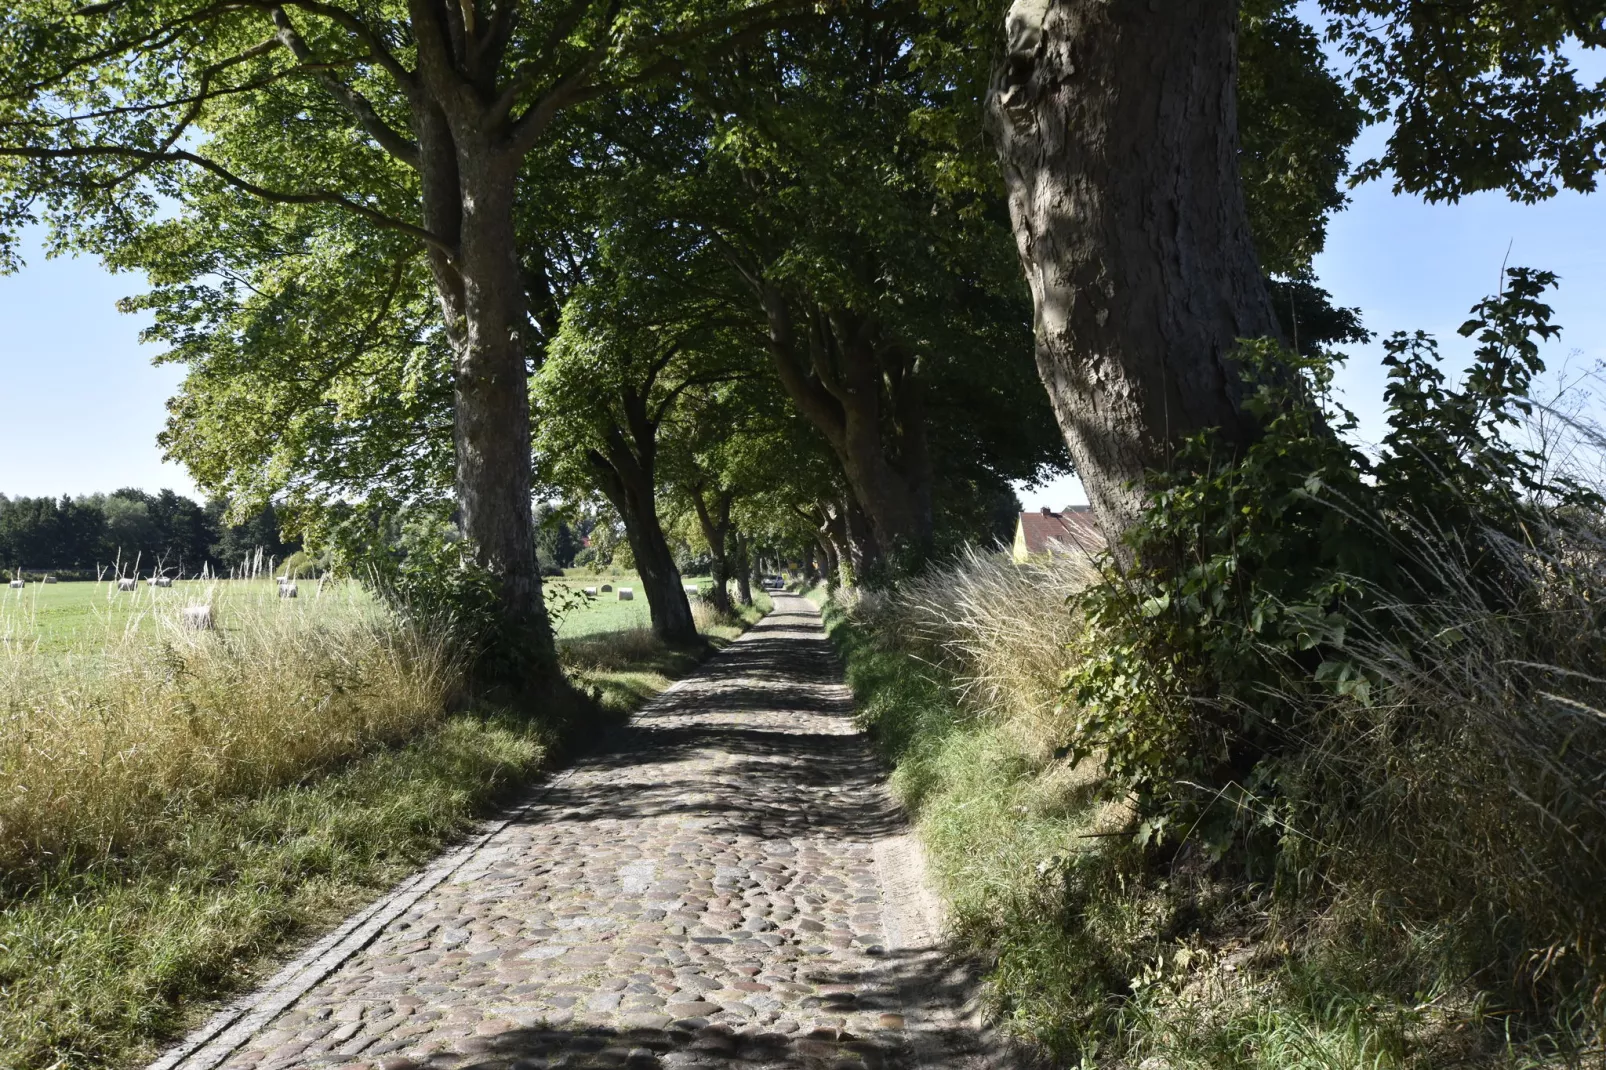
(1319, 775)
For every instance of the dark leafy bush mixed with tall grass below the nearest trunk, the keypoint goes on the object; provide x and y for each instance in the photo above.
(1377, 685)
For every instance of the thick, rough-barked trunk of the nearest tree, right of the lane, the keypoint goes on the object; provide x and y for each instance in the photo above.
(1117, 126)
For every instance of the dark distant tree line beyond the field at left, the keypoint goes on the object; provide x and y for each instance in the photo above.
(131, 526)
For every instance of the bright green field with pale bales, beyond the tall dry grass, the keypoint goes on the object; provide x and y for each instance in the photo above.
(62, 618)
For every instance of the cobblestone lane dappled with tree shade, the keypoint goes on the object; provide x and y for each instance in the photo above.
(725, 886)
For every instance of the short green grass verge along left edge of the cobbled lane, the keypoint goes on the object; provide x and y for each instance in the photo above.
(105, 958)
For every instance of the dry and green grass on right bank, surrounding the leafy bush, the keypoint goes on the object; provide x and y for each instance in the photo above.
(1437, 899)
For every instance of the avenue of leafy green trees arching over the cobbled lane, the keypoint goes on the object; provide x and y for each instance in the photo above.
(809, 277)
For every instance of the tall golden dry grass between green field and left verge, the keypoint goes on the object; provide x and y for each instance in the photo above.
(107, 746)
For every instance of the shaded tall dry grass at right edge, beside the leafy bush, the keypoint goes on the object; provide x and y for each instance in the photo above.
(1454, 828)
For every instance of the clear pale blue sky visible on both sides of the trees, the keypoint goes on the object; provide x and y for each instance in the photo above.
(83, 402)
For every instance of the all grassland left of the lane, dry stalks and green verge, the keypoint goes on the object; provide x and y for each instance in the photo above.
(177, 807)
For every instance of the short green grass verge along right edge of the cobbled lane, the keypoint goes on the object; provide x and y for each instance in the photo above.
(1096, 957)
